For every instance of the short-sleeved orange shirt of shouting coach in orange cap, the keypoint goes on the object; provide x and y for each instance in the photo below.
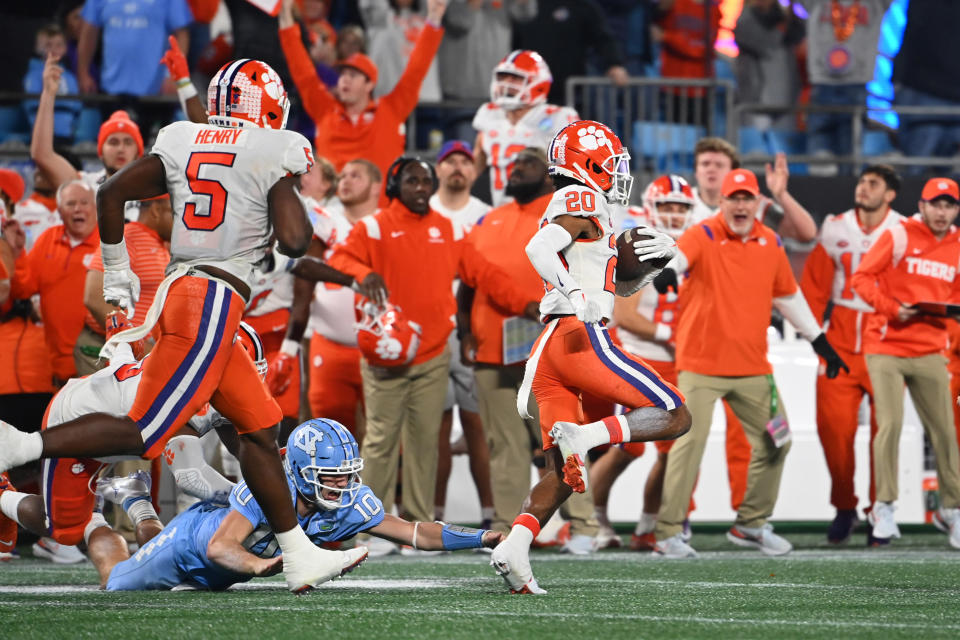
(726, 300)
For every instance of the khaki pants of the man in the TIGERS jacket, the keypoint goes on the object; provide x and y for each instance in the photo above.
(929, 384)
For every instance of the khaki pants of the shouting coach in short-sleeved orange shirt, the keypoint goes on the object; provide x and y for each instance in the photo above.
(749, 398)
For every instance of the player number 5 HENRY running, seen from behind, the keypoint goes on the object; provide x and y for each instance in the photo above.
(232, 184)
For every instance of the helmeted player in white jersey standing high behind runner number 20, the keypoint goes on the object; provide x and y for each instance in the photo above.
(516, 117)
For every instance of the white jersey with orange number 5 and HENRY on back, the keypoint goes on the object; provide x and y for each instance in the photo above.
(218, 180)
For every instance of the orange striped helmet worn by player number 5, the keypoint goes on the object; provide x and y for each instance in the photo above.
(247, 92)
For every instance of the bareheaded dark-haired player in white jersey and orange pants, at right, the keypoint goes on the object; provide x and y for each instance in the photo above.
(844, 239)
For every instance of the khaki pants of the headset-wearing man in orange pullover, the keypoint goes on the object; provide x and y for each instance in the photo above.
(404, 409)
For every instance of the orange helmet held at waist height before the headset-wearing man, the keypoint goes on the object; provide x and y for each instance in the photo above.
(385, 337)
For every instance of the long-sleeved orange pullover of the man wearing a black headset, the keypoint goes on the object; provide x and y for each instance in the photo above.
(418, 257)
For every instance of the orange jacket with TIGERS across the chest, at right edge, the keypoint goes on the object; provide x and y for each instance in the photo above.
(907, 265)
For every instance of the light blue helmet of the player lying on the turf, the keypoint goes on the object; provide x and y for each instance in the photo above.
(322, 447)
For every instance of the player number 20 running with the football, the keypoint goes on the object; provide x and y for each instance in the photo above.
(575, 252)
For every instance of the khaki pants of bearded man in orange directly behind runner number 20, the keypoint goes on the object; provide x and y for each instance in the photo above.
(510, 439)
